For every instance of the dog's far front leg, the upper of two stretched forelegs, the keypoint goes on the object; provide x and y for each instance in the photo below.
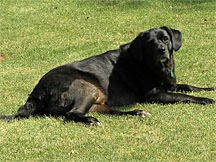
(189, 88)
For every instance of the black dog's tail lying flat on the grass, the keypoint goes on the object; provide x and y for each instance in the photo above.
(25, 111)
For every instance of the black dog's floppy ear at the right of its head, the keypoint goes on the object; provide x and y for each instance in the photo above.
(176, 37)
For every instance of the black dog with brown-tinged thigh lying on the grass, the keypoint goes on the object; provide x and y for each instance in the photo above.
(140, 71)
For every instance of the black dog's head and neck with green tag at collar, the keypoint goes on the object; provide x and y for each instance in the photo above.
(154, 49)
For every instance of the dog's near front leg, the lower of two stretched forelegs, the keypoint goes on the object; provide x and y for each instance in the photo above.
(167, 97)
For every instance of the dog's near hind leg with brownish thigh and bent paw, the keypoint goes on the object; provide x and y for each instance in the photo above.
(83, 94)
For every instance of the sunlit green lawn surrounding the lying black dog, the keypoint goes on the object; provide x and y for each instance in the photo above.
(37, 35)
